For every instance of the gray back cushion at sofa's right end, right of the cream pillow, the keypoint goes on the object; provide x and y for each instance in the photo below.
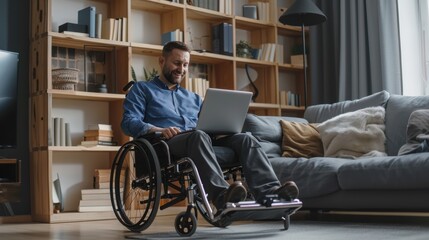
(398, 111)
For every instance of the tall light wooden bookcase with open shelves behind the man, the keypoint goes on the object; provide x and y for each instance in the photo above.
(223, 69)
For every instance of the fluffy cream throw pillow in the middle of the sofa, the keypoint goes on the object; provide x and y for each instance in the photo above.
(354, 134)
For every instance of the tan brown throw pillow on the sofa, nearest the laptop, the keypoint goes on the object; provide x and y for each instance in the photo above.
(300, 140)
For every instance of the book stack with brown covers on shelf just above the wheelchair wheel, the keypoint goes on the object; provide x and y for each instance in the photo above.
(98, 134)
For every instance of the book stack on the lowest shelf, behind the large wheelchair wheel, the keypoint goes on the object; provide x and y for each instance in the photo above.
(98, 198)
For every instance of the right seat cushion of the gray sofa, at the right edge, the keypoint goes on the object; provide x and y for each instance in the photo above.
(405, 172)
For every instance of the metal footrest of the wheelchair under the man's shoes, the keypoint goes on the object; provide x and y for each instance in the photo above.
(271, 209)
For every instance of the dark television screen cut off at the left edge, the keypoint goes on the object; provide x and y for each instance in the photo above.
(8, 98)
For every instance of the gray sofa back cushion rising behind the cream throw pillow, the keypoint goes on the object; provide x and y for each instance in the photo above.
(322, 112)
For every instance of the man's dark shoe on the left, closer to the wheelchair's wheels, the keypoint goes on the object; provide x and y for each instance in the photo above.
(236, 192)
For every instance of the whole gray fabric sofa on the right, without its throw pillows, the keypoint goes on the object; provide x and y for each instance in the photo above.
(388, 183)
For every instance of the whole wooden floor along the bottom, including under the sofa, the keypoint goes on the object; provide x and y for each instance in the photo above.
(335, 227)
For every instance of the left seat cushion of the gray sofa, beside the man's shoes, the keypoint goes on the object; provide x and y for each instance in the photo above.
(314, 176)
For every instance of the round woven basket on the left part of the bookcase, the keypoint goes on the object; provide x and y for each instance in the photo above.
(65, 78)
